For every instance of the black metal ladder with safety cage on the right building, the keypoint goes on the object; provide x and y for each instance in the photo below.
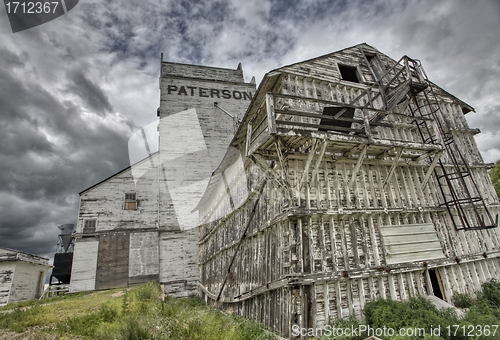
(400, 86)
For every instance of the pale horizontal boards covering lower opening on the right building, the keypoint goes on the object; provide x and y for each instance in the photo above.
(411, 242)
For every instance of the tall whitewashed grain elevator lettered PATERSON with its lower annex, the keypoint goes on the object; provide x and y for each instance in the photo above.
(138, 224)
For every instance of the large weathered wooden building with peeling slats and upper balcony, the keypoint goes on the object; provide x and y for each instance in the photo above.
(351, 177)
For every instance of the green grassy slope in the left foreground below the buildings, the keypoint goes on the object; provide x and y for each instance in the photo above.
(127, 314)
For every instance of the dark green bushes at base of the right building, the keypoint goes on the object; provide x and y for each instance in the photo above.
(419, 313)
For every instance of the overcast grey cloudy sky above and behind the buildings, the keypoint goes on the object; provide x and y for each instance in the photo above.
(72, 91)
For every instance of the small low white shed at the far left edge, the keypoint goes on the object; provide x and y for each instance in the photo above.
(22, 276)
